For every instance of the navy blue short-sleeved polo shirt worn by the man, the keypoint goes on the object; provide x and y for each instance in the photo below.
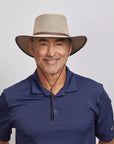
(82, 111)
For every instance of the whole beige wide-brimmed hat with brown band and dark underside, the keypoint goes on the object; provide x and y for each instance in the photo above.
(50, 25)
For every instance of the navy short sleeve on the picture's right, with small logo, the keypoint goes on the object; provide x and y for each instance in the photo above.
(104, 121)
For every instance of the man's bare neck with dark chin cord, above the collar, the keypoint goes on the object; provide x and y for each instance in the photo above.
(55, 81)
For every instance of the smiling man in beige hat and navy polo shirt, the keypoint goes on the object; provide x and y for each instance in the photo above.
(54, 105)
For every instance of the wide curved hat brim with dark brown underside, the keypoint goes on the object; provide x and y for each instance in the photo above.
(23, 41)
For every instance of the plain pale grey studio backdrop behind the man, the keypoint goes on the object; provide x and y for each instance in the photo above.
(93, 18)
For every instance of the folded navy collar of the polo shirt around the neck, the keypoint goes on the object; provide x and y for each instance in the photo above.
(70, 85)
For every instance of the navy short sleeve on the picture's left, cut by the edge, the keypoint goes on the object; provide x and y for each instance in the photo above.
(5, 123)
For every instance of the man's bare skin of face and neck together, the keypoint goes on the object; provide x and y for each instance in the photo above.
(51, 55)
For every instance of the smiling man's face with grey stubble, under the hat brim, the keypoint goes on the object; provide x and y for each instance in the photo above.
(51, 53)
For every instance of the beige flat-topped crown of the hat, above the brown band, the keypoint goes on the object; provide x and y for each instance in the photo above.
(51, 23)
